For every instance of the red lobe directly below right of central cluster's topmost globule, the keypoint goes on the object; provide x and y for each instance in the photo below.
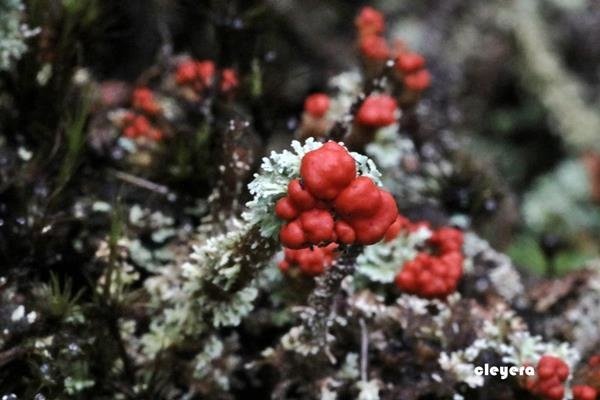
(359, 199)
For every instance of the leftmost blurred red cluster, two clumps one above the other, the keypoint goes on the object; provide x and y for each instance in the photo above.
(137, 124)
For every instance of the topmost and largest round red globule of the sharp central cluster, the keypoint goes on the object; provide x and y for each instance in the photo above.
(327, 170)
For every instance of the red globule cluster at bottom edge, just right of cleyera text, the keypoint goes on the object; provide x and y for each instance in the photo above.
(552, 372)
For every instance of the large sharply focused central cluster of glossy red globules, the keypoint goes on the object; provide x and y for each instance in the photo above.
(331, 204)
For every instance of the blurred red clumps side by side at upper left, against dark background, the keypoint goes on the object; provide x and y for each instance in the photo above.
(200, 75)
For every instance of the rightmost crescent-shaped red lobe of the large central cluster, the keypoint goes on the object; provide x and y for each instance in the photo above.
(371, 229)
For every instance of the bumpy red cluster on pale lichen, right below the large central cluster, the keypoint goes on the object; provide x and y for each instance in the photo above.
(436, 274)
